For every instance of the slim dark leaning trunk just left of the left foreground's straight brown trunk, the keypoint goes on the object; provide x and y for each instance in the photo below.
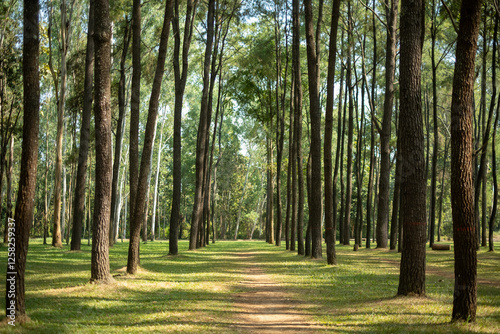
(81, 174)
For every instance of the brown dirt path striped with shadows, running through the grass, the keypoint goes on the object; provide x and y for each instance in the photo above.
(266, 307)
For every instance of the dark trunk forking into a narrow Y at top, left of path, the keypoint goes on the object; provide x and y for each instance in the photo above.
(180, 78)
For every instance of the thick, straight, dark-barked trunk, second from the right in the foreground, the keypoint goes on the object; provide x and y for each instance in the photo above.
(411, 136)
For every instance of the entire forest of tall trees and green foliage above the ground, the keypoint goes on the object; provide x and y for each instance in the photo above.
(321, 127)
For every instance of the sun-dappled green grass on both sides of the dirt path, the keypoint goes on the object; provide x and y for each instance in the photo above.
(194, 292)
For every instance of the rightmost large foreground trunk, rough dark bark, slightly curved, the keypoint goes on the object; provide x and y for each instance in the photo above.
(462, 187)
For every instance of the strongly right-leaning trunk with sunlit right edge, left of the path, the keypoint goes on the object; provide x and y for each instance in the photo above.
(138, 217)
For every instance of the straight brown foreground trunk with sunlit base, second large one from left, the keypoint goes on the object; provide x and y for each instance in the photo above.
(99, 269)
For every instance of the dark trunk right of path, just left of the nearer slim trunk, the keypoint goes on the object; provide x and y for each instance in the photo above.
(314, 199)
